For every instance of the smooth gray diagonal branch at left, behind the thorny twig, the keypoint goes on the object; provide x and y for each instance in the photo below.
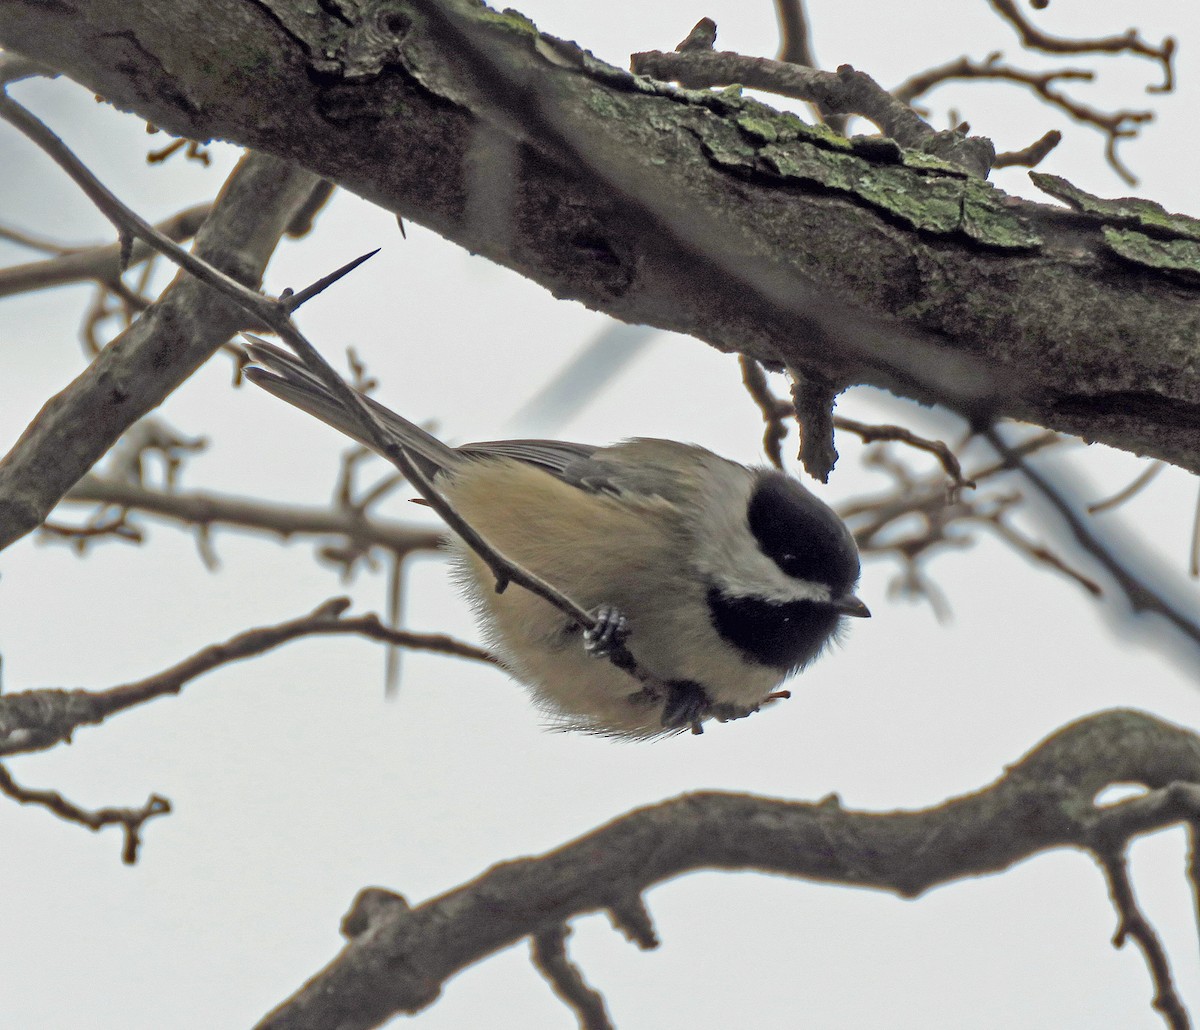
(172, 339)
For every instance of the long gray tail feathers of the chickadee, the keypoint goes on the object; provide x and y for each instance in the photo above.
(289, 380)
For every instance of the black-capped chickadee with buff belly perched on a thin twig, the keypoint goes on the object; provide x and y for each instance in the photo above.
(730, 579)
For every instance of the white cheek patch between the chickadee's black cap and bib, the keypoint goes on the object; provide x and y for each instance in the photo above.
(728, 553)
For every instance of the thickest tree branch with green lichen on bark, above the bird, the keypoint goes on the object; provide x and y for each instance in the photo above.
(1047, 315)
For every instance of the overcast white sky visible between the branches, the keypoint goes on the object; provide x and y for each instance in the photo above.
(296, 785)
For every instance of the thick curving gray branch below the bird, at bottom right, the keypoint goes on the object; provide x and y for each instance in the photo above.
(1043, 801)
